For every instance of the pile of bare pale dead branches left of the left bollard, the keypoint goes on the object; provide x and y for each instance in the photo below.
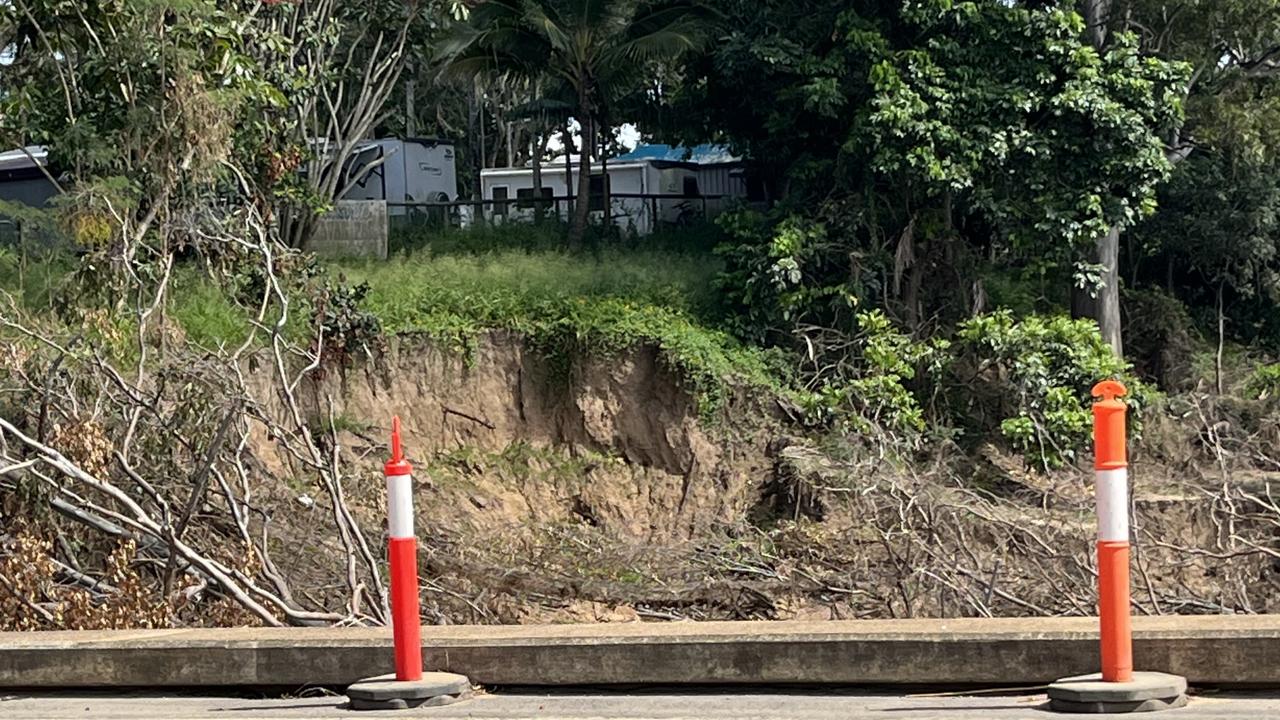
(129, 477)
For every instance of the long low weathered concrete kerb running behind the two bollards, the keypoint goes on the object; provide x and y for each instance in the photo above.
(991, 653)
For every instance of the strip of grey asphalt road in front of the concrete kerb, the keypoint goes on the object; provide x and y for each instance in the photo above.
(651, 705)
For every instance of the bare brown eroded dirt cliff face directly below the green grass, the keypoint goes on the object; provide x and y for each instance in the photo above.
(502, 443)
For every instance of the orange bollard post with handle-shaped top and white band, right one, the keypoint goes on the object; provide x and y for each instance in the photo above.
(1112, 487)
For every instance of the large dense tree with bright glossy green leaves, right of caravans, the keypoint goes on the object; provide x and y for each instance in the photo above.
(925, 142)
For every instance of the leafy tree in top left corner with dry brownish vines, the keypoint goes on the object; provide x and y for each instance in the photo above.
(140, 103)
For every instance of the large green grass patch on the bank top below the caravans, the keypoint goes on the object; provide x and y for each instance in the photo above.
(598, 302)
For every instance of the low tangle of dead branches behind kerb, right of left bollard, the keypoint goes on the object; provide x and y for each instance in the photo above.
(862, 541)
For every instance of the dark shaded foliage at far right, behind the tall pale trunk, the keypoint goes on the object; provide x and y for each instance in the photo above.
(1215, 239)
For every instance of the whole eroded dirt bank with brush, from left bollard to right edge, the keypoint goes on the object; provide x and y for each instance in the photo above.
(596, 493)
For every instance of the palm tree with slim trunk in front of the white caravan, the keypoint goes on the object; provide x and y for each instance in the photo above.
(597, 48)
